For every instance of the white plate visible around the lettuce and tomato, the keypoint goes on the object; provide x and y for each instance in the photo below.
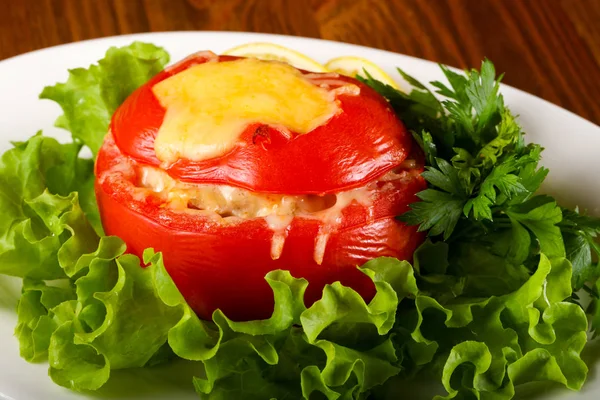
(571, 143)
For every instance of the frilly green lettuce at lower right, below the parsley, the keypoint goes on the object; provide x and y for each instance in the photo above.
(490, 345)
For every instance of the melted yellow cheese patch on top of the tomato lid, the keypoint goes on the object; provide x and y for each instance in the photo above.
(209, 105)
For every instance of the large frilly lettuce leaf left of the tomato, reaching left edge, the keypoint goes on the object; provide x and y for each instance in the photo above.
(81, 318)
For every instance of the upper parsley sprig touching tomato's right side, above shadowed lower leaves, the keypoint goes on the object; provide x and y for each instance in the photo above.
(479, 165)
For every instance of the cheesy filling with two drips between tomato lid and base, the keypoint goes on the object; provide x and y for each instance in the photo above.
(278, 210)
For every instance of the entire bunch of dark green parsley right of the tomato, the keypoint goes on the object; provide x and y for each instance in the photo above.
(483, 181)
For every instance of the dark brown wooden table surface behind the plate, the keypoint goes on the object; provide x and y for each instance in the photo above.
(550, 48)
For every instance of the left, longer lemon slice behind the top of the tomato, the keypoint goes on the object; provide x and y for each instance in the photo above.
(270, 51)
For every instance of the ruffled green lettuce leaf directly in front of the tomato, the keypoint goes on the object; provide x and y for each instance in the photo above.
(339, 347)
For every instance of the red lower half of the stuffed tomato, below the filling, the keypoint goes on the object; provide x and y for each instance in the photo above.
(222, 266)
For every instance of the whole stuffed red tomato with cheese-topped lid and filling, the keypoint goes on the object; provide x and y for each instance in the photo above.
(235, 167)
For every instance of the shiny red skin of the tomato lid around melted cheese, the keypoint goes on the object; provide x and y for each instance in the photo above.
(291, 166)
